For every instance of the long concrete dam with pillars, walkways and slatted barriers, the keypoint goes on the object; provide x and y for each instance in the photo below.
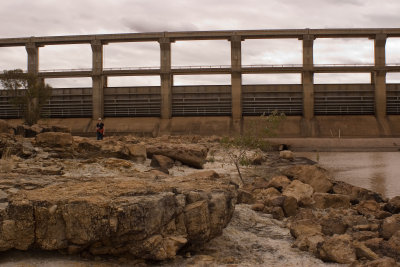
(313, 110)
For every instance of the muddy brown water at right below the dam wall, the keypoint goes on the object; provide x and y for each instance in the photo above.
(377, 171)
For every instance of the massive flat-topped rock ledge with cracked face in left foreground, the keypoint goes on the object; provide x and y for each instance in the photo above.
(148, 216)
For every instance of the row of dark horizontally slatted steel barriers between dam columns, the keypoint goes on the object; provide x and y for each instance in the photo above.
(212, 100)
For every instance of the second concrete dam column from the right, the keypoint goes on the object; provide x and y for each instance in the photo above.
(307, 80)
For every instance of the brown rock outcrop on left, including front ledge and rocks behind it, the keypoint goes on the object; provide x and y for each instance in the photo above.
(67, 202)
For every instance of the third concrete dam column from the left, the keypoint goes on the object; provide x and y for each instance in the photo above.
(166, 78)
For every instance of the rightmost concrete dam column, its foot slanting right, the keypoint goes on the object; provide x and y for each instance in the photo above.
(379, 82)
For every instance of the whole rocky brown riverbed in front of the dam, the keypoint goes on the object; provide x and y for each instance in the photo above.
(177, 201)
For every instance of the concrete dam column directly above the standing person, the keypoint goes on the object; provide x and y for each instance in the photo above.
(97, 80)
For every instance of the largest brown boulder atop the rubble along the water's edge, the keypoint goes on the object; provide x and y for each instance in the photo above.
(312, 175)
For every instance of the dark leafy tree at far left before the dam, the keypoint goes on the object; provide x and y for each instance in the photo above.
(28, 92)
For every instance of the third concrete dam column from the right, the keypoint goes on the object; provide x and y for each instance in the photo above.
(236, 83)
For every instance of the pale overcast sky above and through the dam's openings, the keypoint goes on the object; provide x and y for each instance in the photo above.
(23, 18)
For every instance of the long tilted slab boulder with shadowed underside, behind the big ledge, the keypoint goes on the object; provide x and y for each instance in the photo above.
(189, 154)
